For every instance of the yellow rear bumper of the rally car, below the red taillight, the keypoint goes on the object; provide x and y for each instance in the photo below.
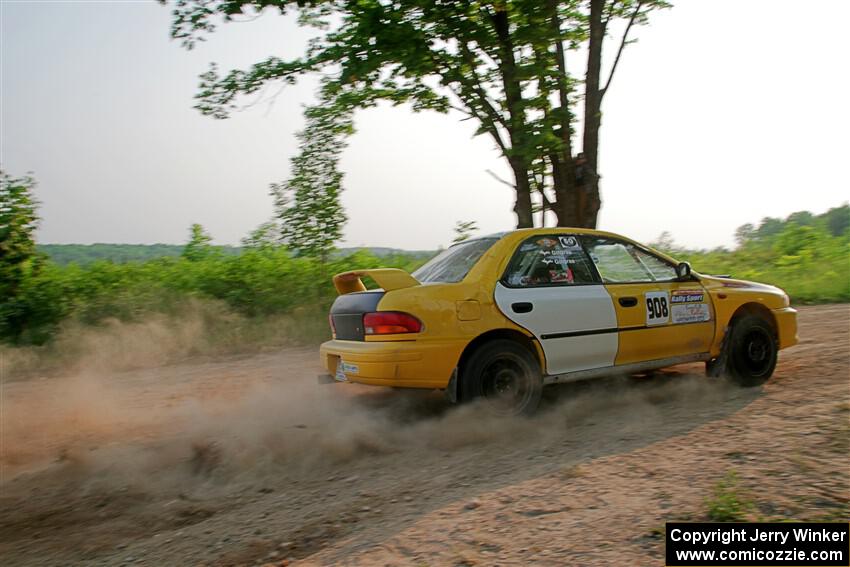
(405, 364)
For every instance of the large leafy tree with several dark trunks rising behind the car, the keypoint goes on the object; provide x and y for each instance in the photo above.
(502, 63)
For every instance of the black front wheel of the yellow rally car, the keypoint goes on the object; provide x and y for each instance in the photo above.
(750, 352)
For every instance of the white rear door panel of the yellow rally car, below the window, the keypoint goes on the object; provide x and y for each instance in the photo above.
(576, 325)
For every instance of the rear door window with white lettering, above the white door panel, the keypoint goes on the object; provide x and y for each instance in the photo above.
(548, 261)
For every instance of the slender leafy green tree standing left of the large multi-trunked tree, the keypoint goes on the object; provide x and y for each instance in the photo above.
(307, 205)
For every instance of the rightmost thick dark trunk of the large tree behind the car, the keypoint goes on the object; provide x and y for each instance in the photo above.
(589, 201)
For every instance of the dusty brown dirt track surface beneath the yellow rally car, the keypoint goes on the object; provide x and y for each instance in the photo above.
(247, 461)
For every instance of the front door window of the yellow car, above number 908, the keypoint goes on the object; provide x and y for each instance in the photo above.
(619, 262)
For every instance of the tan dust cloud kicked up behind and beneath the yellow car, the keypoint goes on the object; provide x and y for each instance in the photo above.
(121, 414)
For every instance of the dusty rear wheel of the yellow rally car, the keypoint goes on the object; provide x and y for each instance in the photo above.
(503, 374)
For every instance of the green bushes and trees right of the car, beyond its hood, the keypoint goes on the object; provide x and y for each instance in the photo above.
(811, 261)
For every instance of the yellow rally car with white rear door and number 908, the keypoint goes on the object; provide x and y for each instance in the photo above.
(501, 316)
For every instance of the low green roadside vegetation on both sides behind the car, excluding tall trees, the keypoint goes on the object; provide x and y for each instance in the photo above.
(805, 254)
